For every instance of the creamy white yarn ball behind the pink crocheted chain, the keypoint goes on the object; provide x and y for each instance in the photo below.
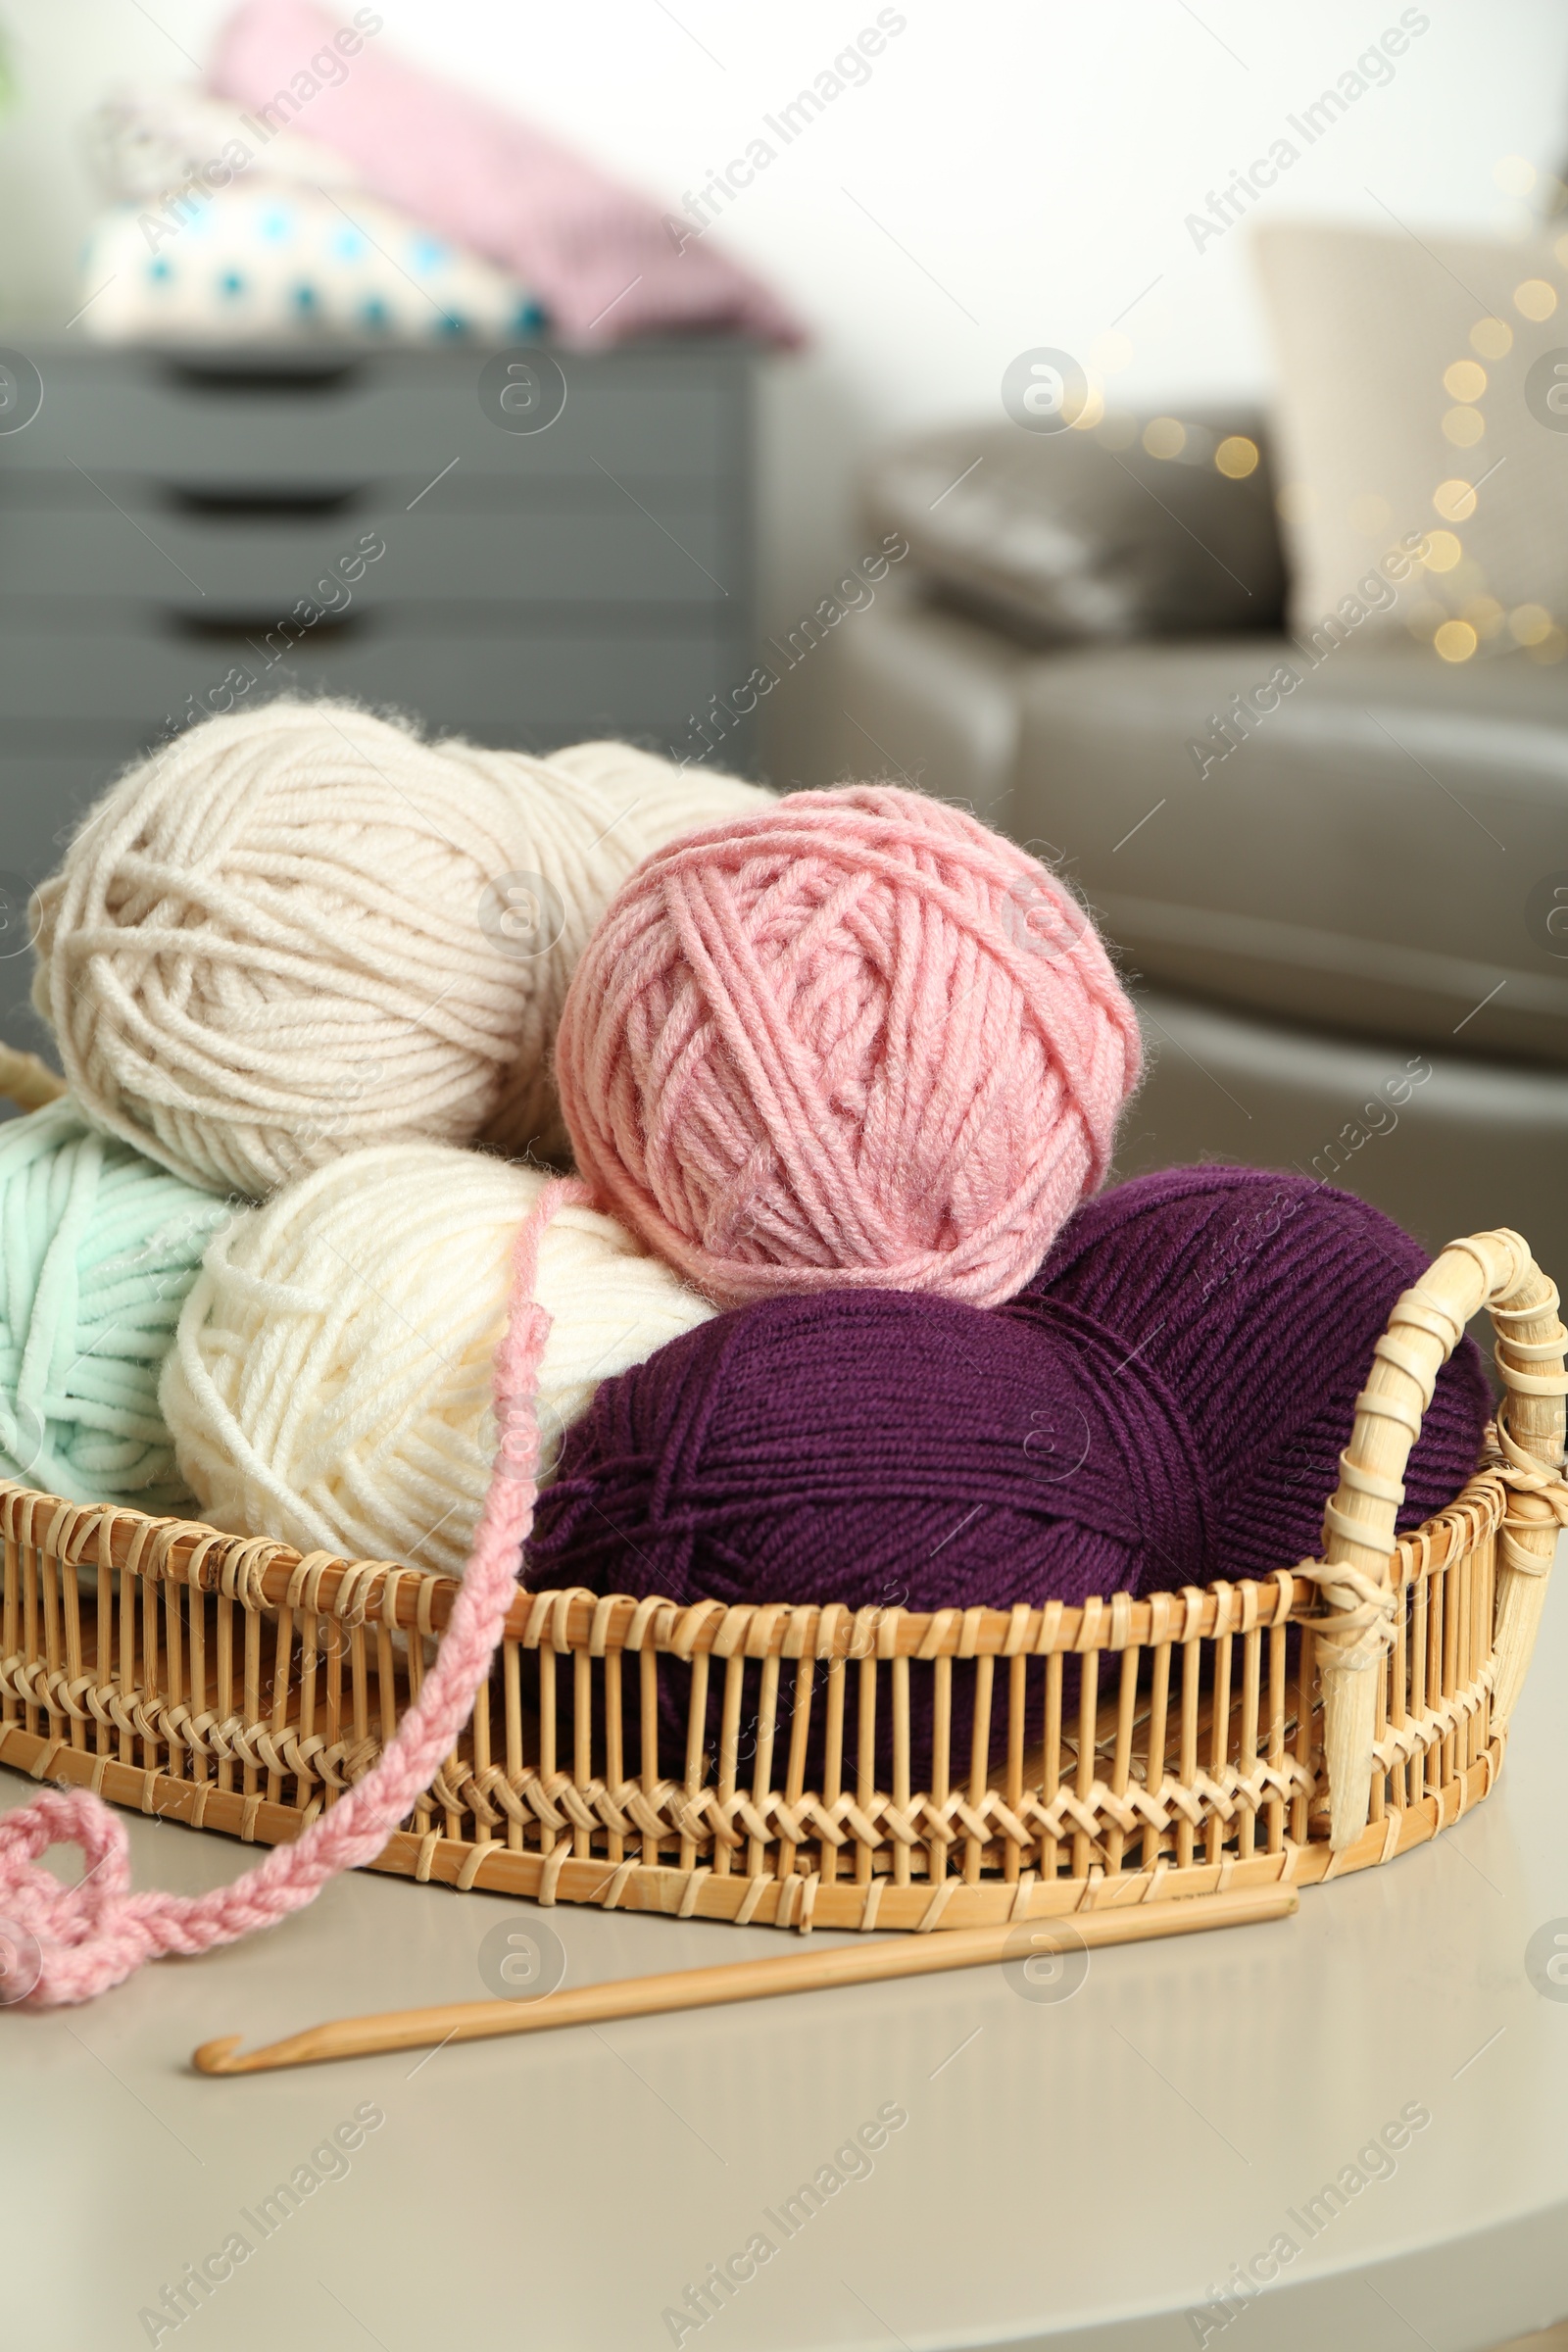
(333, 1370)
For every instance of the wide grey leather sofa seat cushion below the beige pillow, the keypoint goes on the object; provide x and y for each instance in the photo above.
(1374, 848)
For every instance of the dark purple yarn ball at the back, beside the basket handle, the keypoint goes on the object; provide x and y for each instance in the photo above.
(1259, 1302)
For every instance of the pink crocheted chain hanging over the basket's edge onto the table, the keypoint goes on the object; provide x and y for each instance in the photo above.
(98, 1932)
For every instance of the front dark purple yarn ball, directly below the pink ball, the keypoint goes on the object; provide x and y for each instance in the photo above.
(880, 1448)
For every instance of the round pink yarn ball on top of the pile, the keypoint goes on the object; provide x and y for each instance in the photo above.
(855, 1038)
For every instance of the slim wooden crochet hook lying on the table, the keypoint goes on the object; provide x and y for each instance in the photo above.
(737, 1982)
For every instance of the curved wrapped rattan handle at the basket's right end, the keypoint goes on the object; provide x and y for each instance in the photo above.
(1487, 1271)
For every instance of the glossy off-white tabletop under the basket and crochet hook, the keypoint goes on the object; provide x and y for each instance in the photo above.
(1071, 2172)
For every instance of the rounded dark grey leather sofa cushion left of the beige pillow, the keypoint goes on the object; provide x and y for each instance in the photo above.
(1085, 533)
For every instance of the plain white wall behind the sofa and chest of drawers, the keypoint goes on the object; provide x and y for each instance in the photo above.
(1028, 168)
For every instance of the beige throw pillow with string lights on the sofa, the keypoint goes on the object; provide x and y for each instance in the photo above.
(1412, 380)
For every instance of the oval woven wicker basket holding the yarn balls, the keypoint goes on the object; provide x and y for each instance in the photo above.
(1179, 1746)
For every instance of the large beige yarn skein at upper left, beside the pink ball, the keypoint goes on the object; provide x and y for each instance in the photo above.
(302, 930)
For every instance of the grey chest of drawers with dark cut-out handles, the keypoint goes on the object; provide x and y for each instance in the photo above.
(201, 533)
